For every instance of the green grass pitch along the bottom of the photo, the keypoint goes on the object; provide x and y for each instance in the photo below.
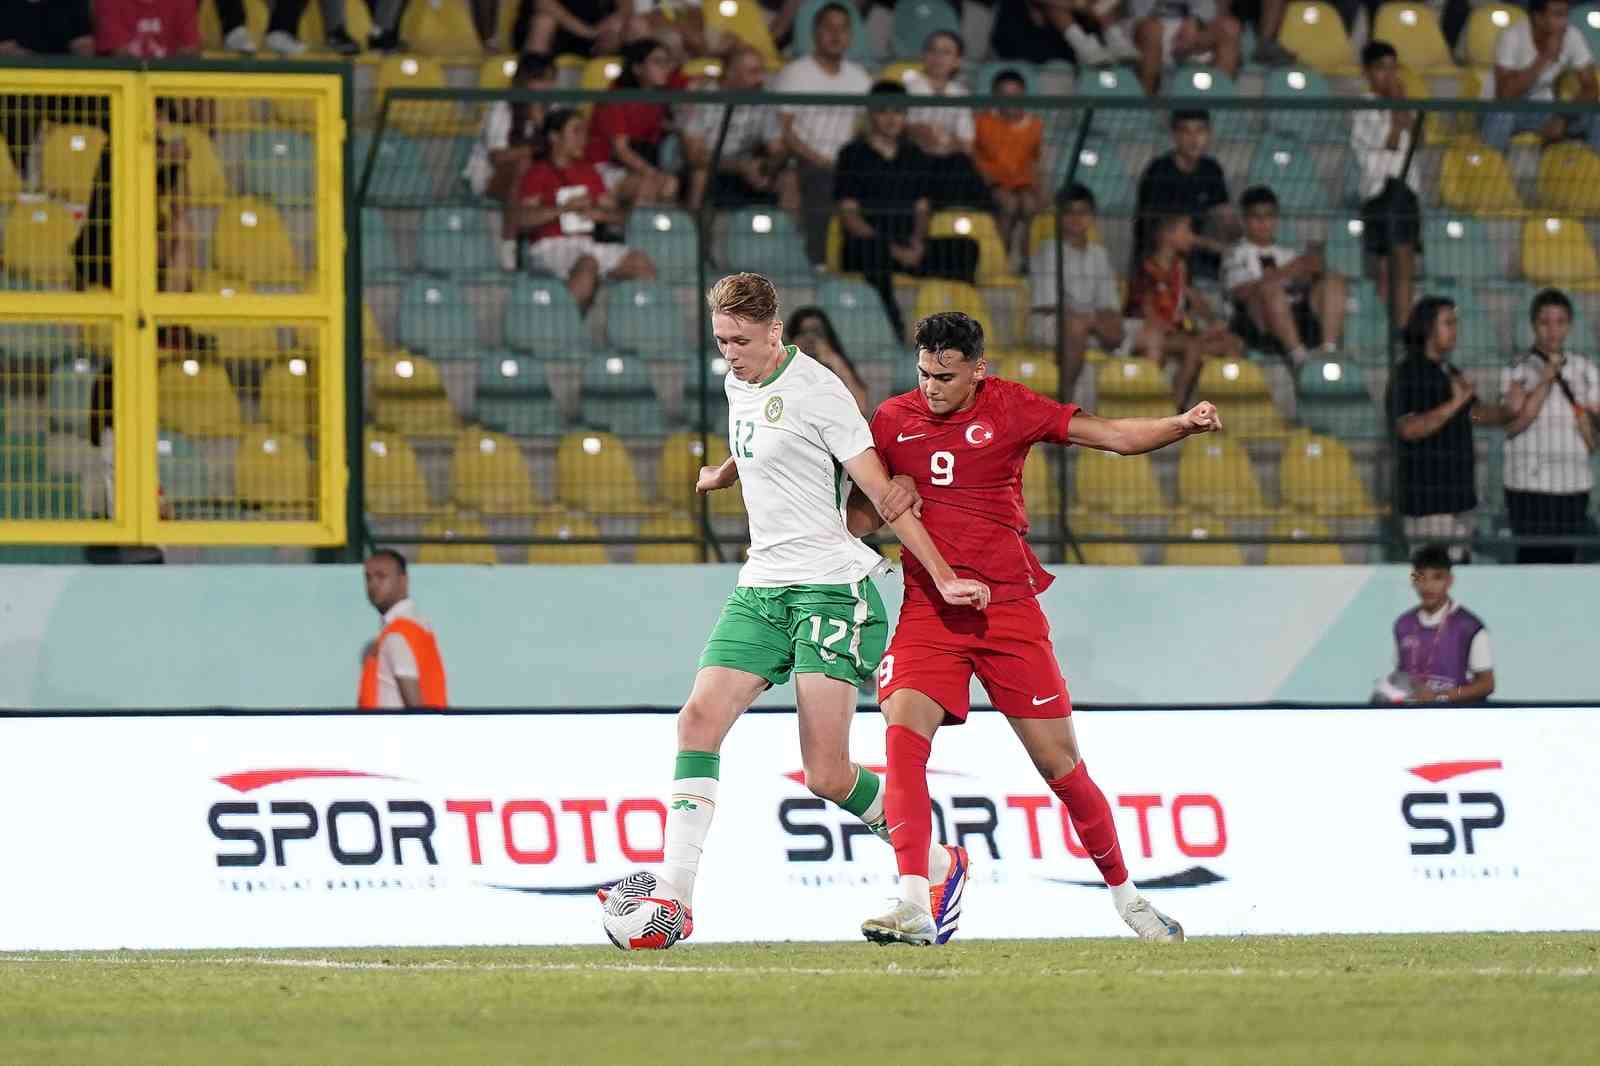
(1281, 1001)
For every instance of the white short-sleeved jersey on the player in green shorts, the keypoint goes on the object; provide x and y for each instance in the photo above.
(790, 436)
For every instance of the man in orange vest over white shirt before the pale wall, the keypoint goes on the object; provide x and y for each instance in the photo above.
(402, 668)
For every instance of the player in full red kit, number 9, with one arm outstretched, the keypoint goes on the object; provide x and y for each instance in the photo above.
(962, 439)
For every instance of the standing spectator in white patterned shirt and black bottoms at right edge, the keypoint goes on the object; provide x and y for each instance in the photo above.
(1553, 399)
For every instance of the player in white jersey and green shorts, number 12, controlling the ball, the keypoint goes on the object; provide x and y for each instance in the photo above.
(806, 603)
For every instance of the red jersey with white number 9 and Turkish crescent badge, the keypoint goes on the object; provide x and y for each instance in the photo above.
(969, 470)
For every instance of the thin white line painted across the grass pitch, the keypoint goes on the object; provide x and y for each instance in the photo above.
(894, 969)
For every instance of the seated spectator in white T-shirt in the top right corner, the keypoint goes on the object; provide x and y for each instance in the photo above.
(1530, 58)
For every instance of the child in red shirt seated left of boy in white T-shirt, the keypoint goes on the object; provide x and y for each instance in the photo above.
(1177, 324)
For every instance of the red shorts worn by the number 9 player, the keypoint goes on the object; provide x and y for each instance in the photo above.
(1007, 646)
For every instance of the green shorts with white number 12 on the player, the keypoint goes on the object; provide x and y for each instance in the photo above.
(834, 630)
